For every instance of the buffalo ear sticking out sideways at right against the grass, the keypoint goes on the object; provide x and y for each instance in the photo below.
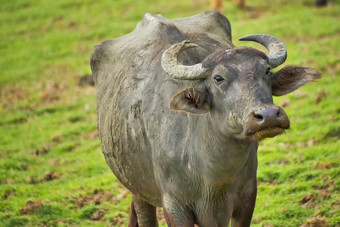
(291, 78)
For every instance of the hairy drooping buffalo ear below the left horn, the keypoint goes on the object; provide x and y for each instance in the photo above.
(190, 100)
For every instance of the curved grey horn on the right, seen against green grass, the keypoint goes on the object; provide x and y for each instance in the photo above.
(277, 50)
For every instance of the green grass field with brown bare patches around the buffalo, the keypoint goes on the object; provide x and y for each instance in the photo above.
(52, 172)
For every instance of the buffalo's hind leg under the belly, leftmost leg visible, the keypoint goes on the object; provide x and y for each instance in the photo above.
(142, 214)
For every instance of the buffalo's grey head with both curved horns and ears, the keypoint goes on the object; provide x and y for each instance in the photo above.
(235, 87)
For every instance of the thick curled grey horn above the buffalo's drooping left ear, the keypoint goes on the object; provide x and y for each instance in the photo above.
(182, 72)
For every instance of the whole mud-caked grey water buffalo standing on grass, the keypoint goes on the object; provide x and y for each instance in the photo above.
(181, 111)
